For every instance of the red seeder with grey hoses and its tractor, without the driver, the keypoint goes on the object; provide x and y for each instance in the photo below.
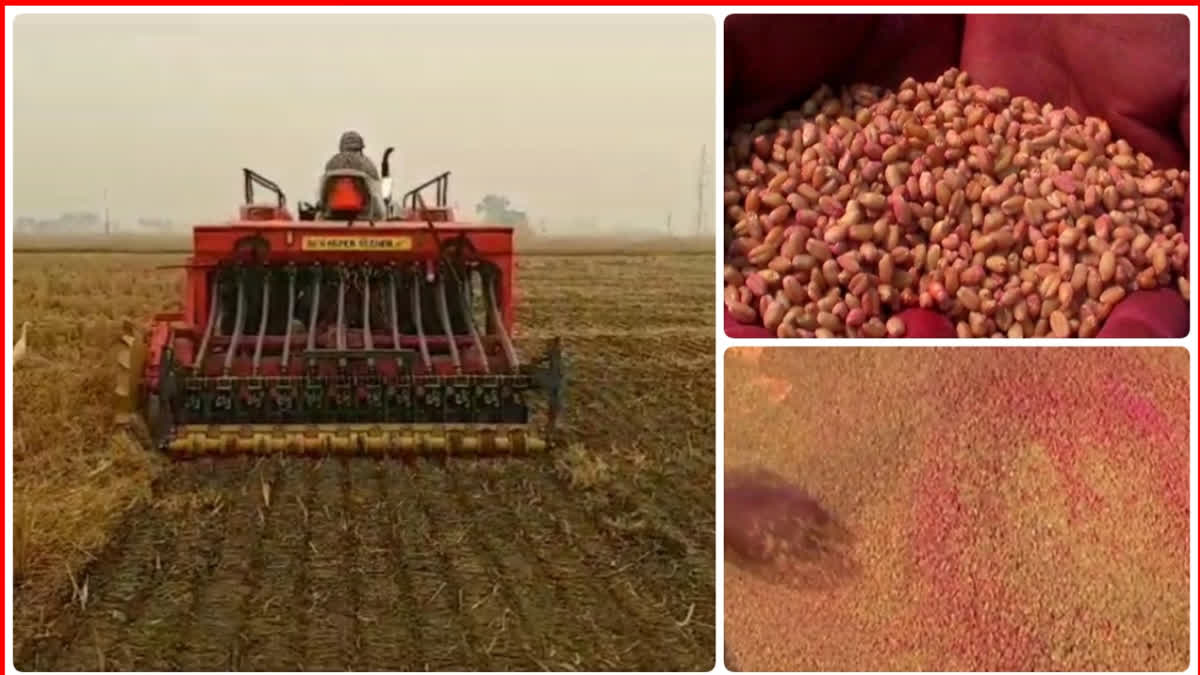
(361, 326)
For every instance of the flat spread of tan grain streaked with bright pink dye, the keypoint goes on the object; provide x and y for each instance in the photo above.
(957, 510)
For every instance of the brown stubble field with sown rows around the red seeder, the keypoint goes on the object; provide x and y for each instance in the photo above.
(596, 558)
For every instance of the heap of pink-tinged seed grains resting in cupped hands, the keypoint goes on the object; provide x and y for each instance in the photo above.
(1012, 219)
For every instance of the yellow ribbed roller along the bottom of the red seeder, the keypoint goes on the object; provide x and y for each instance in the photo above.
(355, 439)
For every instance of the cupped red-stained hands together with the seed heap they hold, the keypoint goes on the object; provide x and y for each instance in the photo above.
(950, 205)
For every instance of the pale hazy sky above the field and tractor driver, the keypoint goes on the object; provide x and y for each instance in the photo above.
(596, 116)
